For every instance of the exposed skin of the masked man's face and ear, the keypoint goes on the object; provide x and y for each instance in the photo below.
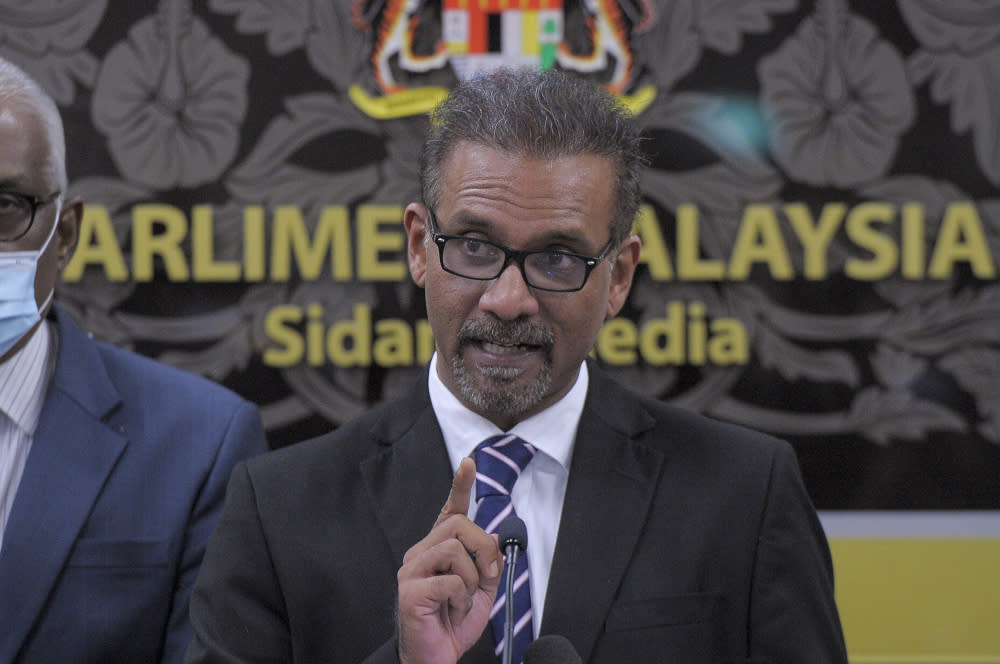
(26, 168)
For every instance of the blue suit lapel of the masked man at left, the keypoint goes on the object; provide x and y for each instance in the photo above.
(71, 457)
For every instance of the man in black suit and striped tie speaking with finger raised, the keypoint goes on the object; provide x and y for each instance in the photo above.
(654, 534)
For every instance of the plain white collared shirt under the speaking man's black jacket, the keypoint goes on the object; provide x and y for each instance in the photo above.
(538, 494)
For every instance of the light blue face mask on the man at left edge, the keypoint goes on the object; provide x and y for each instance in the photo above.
(19, 311)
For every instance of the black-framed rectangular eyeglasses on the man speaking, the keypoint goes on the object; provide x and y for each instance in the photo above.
(547, 269)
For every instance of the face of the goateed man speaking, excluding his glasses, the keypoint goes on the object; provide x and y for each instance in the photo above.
(508, 350)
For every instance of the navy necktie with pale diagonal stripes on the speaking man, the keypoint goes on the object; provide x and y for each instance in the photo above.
(499, 462)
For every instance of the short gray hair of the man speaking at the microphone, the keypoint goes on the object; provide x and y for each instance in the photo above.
(541, 115)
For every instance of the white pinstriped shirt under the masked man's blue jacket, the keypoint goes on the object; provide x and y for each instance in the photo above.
(24, 379)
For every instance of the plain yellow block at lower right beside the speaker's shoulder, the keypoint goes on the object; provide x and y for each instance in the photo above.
(916, 600)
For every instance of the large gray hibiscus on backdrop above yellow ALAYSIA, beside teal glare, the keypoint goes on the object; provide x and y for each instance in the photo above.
(838, 99)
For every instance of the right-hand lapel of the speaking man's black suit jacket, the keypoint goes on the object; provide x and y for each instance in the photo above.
(612, 483)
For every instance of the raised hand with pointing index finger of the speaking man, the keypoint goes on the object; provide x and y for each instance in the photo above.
(448, 582)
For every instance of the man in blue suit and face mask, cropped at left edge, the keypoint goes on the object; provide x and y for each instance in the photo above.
(112, 467)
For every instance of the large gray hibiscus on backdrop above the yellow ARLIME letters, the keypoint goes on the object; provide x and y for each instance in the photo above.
(171, 100)
